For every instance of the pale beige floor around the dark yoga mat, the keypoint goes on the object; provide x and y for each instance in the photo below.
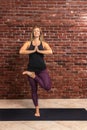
(44, 125)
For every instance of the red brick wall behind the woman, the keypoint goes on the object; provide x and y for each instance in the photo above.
(64, 24)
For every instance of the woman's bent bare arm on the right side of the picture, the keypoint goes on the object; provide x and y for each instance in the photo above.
(47, 49)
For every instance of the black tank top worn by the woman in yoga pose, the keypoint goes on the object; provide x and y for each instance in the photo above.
(36, 60)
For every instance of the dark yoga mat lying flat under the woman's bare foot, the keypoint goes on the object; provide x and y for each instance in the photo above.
(46, 114)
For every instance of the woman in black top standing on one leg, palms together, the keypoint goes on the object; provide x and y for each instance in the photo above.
(37, 73)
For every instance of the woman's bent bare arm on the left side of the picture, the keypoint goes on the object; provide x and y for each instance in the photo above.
(24, 48)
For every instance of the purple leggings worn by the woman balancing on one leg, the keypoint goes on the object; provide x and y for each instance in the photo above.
(43, 80)
